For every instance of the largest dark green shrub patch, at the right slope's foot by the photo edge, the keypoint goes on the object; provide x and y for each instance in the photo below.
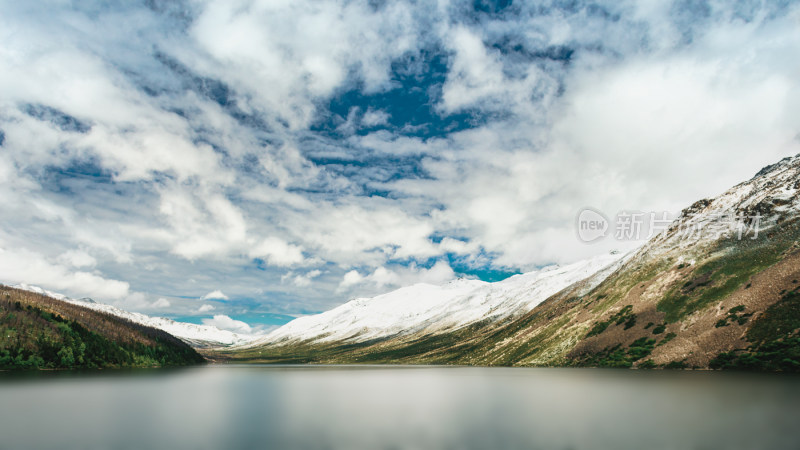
(774, 338)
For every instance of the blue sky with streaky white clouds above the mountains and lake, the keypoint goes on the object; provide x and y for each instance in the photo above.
(243, 162)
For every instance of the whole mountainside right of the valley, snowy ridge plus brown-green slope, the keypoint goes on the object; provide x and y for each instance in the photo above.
(717, 289)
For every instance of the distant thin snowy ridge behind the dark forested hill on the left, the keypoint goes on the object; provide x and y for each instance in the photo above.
(198, 336)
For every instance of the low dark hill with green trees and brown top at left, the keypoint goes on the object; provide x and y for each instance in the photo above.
(38, 332)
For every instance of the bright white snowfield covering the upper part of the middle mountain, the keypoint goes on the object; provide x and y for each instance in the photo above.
(428, 309)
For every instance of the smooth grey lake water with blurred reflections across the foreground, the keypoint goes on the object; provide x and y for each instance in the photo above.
(269, 407)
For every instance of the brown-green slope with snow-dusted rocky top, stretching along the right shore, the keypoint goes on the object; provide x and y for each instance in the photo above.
(689, 297)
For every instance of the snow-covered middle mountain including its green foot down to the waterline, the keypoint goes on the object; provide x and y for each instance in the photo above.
(371, 329)
